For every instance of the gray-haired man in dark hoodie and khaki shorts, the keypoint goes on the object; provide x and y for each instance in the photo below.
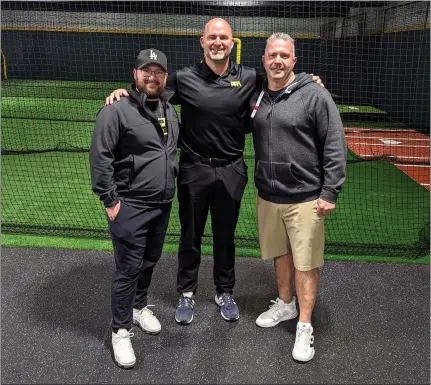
(300, 160)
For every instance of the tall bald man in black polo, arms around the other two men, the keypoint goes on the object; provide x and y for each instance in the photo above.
(214, 97)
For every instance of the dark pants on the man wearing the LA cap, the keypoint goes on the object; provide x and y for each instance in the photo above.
(137, 236)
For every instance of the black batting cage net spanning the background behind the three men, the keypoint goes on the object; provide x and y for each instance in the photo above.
(61, 59)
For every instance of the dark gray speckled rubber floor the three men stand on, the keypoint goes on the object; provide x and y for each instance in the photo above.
(372, 325)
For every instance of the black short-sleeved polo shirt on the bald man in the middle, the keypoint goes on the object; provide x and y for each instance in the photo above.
(213, 108)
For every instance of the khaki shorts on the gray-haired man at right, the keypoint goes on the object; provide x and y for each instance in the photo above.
(293, 229)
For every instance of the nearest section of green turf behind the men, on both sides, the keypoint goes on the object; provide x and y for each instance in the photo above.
(53, 190)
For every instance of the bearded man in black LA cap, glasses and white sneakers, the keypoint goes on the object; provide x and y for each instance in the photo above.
(133, 168)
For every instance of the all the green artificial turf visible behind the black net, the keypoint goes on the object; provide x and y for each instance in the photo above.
(380, 210)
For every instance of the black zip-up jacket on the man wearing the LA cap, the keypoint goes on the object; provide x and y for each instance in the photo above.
(130, 158)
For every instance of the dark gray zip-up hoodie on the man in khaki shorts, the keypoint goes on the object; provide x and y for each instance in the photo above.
(299, 144)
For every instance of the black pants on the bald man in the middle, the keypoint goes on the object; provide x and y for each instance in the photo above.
(218, 190)
